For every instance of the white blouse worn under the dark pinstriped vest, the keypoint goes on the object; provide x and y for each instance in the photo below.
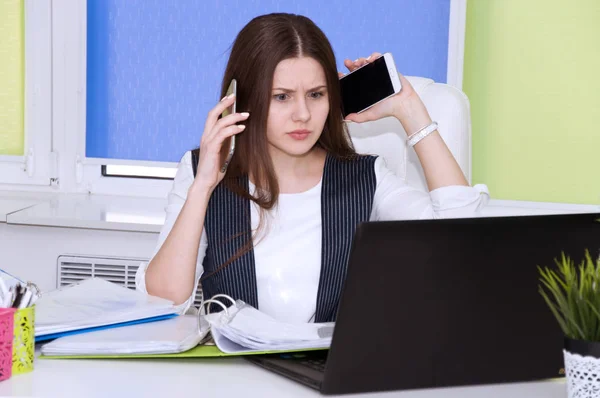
(288, 257)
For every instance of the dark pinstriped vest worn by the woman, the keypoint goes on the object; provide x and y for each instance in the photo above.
(348, 187)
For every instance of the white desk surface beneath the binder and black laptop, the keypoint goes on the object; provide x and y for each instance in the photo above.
(217, 377)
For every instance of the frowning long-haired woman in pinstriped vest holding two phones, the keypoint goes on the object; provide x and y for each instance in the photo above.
(275, 229)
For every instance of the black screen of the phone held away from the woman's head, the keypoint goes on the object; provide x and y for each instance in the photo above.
(366, 86)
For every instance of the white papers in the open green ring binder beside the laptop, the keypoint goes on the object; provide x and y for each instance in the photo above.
(239, 329)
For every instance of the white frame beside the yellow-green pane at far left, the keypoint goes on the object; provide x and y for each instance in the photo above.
(36, 167)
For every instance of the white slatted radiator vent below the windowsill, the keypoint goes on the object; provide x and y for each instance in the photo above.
(121, 271)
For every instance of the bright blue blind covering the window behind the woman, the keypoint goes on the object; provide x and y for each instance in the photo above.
(153, 70)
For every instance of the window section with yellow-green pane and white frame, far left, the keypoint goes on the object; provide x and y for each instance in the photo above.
(25, 98)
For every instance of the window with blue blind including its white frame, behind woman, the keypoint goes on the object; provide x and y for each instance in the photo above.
(133, 81)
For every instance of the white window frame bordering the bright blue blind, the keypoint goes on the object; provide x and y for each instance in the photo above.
(81, 174)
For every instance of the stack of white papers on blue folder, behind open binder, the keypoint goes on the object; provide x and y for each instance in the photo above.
(95, 303)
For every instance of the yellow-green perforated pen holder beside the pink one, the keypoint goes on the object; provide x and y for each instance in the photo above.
(24, 341)
